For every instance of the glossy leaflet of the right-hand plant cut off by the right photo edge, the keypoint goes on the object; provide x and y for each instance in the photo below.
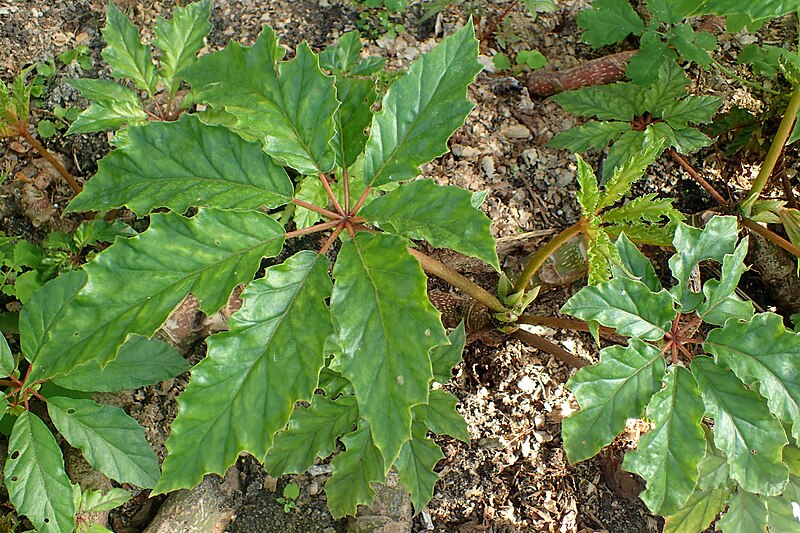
(766, 356)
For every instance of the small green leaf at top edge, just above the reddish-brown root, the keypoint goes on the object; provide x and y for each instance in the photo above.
(608, 22)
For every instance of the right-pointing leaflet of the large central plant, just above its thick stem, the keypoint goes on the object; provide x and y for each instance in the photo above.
(440, 214)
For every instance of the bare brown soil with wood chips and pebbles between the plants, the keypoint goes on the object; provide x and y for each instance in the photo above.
(513, 475)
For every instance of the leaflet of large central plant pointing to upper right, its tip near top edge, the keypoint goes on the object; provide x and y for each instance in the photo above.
(421, 110)
